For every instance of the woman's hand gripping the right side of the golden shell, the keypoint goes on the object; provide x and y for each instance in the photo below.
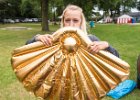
(96, 46)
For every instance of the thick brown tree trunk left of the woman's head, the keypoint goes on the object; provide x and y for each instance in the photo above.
(44, 11)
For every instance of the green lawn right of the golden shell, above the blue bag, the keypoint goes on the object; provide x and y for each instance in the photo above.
(125, 38)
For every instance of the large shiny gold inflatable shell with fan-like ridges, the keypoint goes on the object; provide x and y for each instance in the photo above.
(66, 70)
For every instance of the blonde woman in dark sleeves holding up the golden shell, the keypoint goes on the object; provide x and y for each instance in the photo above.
(73, 16)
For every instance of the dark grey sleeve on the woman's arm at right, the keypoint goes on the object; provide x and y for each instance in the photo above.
(110, 48)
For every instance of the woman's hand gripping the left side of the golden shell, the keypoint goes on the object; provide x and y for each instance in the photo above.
(46, 39)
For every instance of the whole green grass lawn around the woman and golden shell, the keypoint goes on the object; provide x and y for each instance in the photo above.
(125, 38)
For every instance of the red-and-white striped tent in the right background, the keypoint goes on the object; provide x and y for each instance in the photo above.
(124, 19)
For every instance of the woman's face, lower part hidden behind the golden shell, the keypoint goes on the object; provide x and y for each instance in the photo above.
(72, 18)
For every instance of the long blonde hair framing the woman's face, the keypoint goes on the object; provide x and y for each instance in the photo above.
(74, 7)
